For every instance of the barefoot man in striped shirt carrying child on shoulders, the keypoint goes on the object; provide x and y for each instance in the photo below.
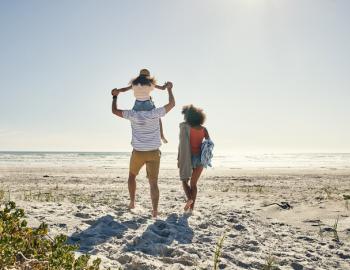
(145, 142)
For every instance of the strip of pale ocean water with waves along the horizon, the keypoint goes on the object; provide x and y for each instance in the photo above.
(121, 159)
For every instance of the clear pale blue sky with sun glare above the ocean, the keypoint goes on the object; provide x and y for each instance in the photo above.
(271, 75)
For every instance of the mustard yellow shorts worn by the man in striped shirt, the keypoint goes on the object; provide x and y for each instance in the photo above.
(150, 158)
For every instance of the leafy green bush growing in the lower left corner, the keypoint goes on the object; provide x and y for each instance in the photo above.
(23, 247)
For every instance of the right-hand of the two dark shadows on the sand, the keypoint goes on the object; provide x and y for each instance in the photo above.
(158, 237)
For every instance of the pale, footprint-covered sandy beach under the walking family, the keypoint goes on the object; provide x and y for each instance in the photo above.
(89, 204)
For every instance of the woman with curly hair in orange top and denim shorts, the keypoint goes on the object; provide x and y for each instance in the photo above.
(192, 134)
